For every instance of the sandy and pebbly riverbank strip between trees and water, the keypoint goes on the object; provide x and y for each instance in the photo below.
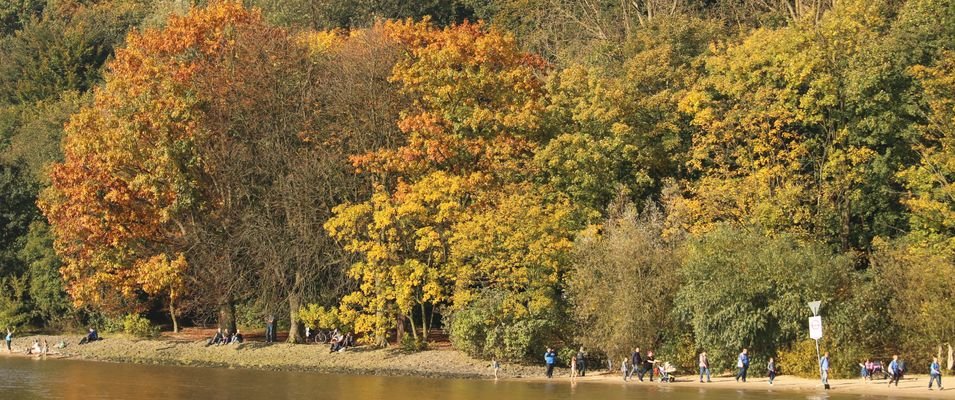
(440, 363)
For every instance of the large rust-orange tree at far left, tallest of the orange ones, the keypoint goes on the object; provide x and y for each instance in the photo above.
(156, 175)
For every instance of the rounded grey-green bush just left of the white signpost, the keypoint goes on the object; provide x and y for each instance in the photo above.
(742, 289)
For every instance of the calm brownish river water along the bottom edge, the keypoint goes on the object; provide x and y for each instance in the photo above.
(28, 379)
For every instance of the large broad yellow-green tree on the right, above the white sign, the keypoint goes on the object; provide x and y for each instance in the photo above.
(788, 135)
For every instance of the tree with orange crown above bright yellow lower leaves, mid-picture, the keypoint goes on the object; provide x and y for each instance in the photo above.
(468, 140)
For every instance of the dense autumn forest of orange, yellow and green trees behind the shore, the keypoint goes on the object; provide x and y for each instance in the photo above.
(519, 173)
